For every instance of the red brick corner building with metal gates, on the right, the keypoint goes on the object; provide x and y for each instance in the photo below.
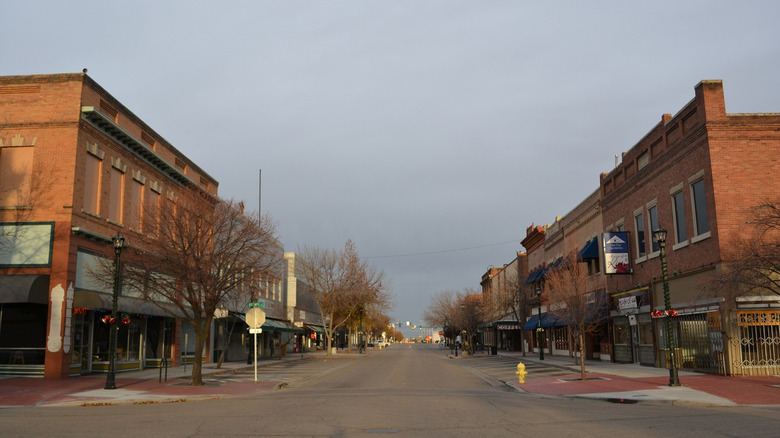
(696, 174)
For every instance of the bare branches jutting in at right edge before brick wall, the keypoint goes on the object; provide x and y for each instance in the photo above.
(754, 266)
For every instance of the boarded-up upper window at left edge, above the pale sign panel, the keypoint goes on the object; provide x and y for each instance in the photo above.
(15, 175)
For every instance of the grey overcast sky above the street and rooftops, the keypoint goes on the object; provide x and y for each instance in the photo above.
(431, 133)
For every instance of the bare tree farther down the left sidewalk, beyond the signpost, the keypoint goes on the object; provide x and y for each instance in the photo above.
(342, 285)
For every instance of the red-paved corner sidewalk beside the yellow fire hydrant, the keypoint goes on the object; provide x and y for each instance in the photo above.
(630, 383)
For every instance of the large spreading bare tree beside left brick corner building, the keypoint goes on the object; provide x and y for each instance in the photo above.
(204, 251)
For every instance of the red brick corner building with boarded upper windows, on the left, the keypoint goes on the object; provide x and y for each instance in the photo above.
(76, 168)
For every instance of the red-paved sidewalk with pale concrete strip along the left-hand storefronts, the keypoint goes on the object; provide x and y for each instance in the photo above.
(139, 387)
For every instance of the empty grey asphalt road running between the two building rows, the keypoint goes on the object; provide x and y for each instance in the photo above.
(400, 391)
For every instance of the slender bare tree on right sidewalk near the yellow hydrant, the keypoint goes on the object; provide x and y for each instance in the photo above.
(568, 298)
